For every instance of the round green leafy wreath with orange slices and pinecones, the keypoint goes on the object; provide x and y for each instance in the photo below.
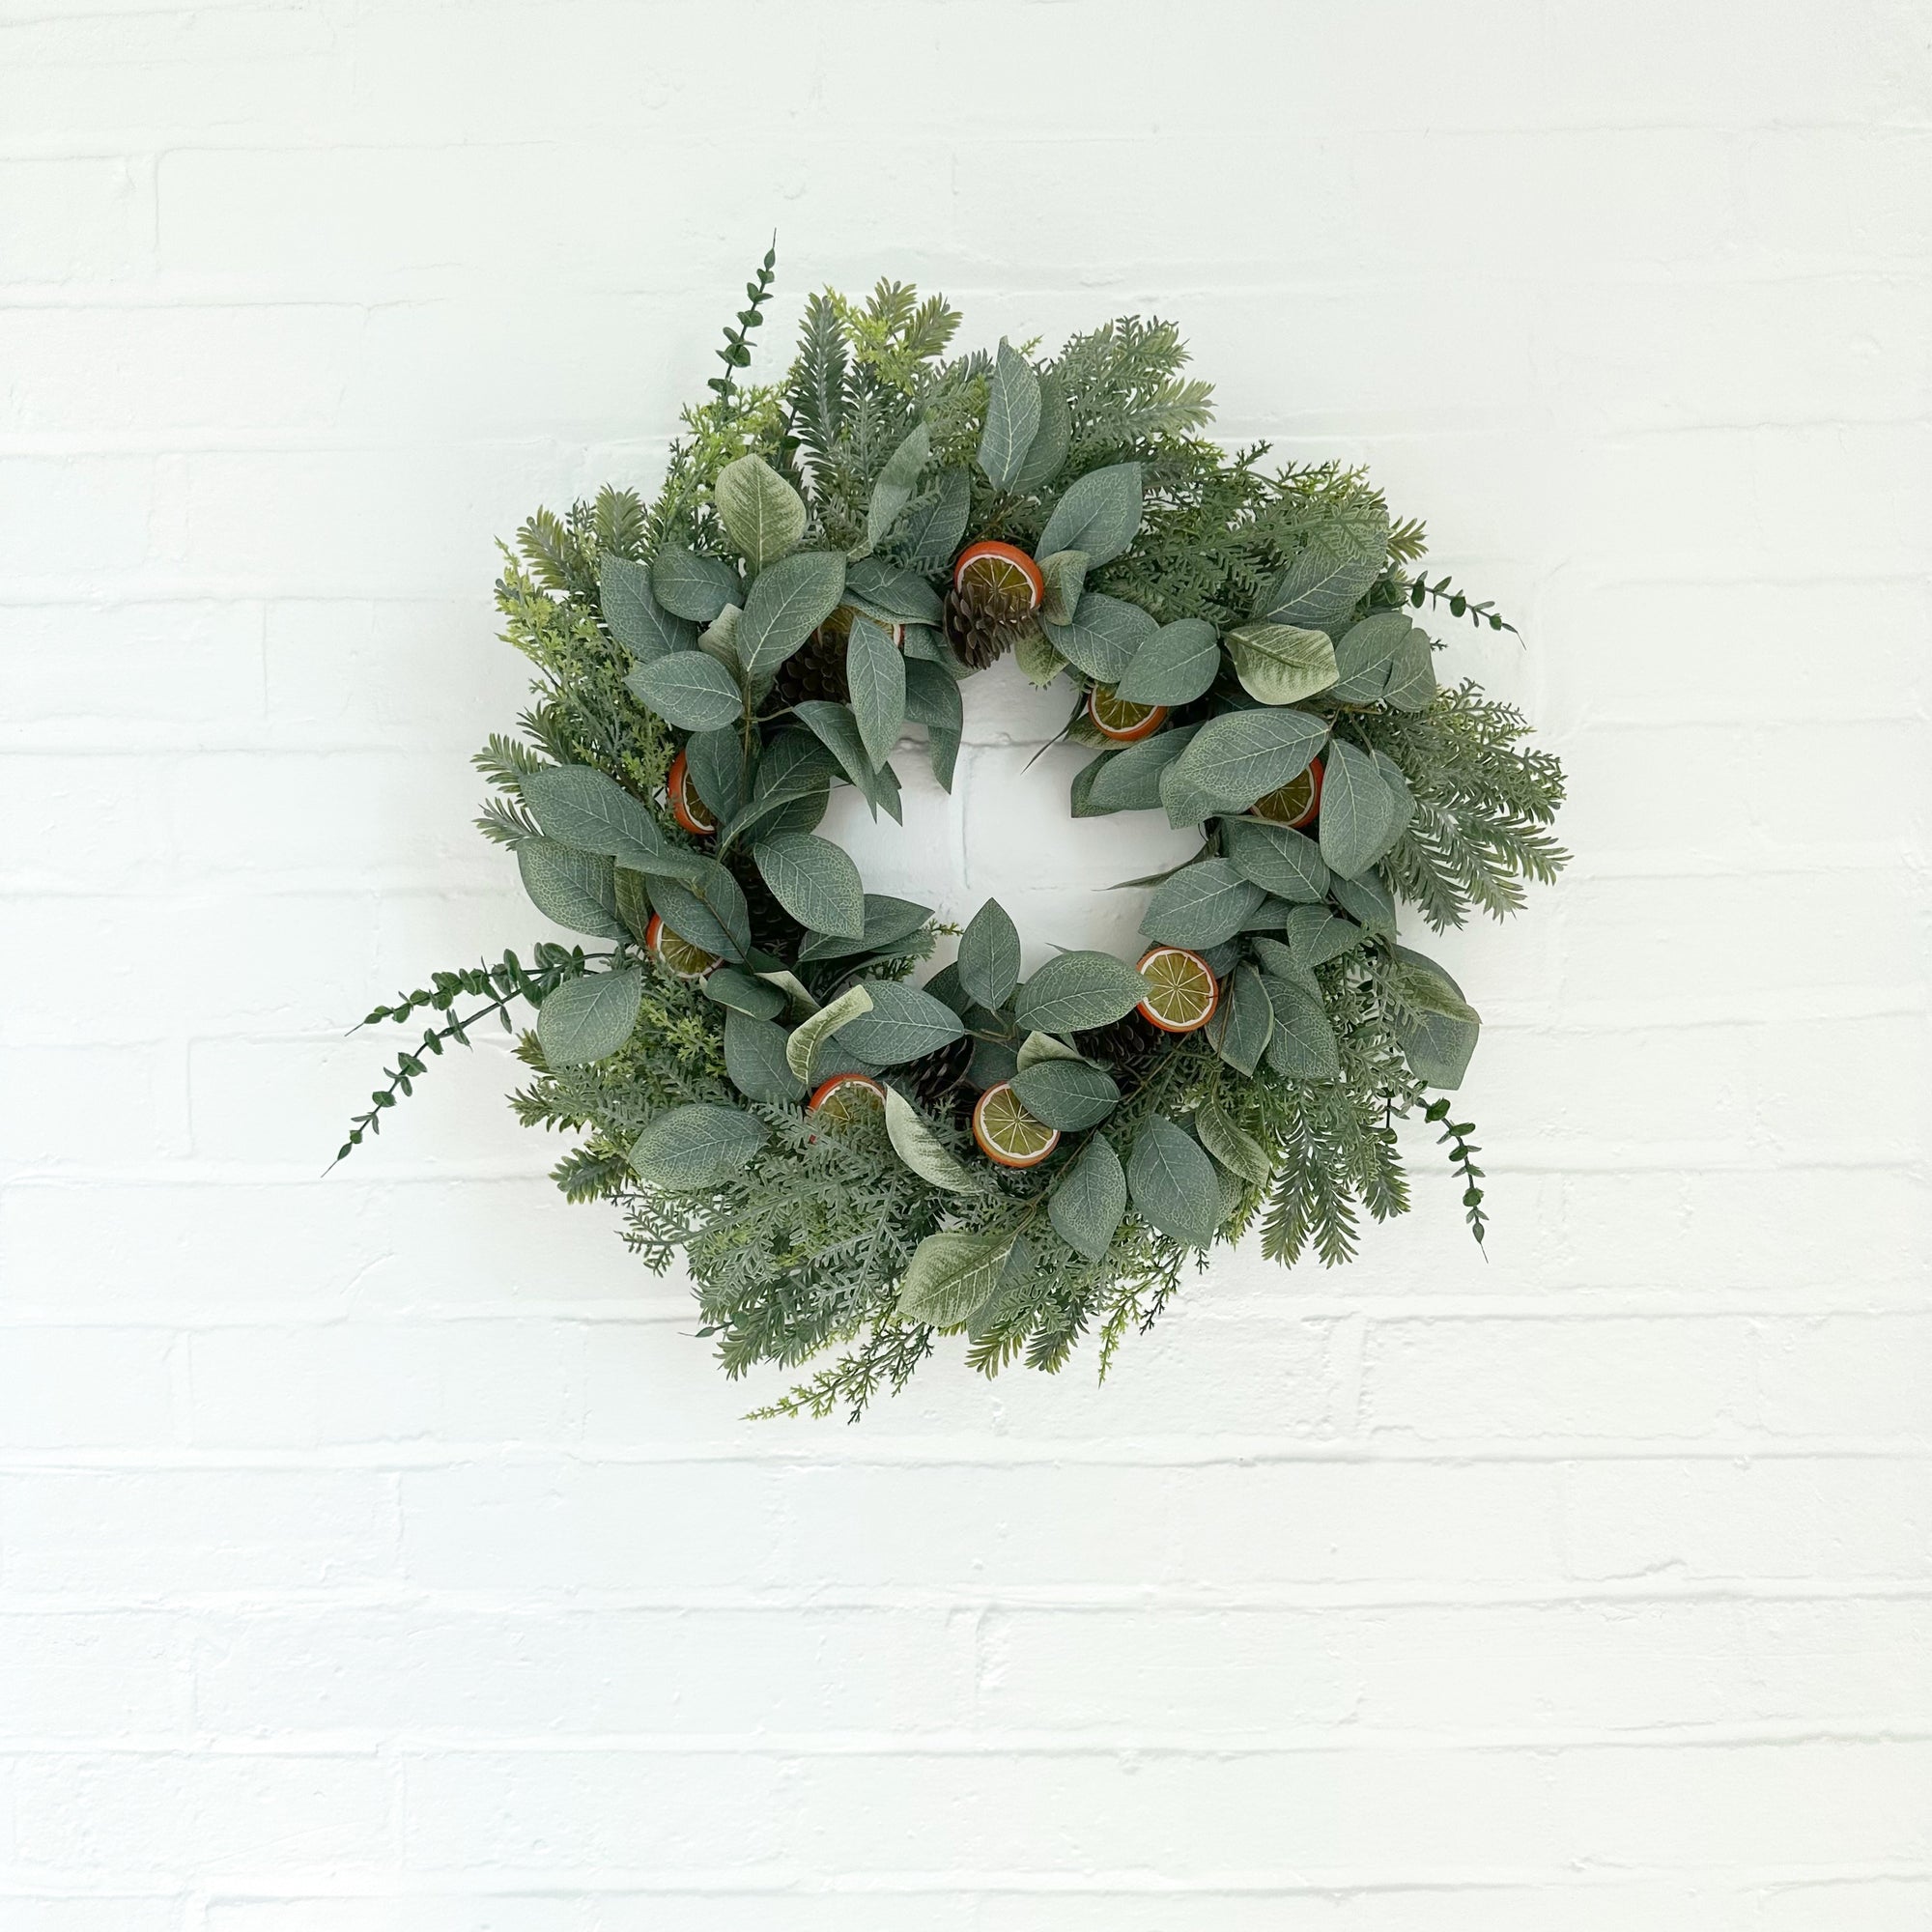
(847, 1158)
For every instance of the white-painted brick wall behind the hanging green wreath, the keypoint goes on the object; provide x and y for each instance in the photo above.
(380, 1554)
